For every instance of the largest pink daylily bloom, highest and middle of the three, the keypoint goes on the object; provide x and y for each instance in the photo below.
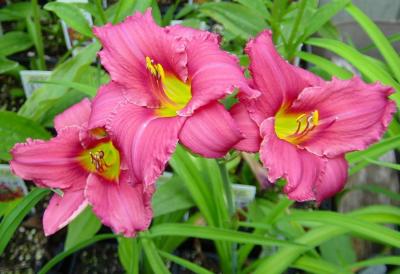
(166, 83)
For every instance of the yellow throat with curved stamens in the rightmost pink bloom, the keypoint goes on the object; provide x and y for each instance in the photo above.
(295, 127)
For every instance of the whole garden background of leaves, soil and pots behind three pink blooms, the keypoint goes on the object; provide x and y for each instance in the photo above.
(199, 226)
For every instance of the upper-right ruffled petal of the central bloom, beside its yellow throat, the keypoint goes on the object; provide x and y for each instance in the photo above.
(213, 73)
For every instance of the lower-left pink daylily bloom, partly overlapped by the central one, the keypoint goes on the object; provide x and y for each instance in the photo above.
(88, 167)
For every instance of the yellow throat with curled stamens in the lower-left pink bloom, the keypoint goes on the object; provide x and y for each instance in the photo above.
(103, 159)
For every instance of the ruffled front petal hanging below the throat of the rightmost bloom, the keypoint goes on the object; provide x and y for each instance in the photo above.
(299, 167)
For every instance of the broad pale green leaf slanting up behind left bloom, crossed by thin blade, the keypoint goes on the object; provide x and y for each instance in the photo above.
(42, 101)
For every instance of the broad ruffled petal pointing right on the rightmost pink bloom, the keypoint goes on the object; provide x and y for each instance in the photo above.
(357, 114)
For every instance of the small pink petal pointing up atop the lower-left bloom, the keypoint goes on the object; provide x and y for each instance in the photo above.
(76, 115)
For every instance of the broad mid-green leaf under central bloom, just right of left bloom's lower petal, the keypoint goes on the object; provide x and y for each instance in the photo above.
(171, 196)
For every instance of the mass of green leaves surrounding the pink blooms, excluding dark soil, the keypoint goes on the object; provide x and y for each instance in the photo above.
(196, 201)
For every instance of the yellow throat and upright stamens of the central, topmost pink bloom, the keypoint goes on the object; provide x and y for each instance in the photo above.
(170, 90)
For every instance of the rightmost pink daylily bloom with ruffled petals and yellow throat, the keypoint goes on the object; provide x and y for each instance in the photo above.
(302, 126)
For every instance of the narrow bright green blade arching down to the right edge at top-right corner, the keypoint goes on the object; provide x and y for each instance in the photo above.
(378, 37)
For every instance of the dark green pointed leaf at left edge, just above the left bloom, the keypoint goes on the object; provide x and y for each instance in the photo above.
(15, 129)
